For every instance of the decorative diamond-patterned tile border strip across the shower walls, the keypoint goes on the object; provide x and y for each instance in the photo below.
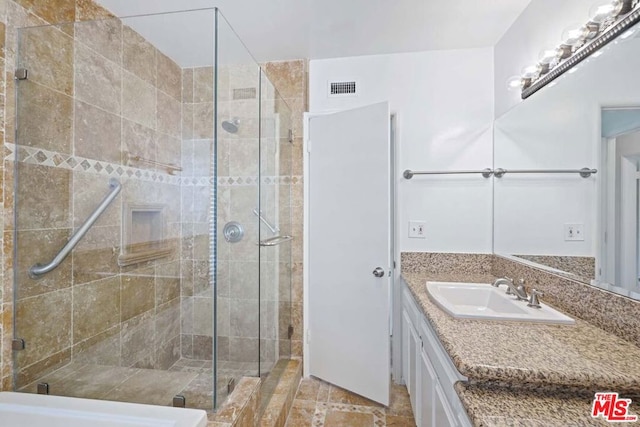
(39, 156)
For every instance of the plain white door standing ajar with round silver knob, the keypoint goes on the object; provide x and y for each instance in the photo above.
(349, 231)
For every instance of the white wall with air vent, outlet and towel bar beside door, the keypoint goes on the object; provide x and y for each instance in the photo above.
(444, 106)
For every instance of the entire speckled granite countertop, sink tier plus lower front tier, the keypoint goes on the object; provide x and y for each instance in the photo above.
(530, 374)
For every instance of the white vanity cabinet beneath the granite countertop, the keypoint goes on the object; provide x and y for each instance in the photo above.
(428, 371)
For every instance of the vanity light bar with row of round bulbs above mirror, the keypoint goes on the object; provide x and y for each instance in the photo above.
(608, 20)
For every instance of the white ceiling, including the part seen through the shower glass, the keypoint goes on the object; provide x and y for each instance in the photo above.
(293, 29)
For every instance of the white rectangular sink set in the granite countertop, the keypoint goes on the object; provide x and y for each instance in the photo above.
(483, 301)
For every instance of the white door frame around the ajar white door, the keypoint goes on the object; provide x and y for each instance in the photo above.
(395, 289)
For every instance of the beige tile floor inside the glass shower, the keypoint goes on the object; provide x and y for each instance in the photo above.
(191, 378)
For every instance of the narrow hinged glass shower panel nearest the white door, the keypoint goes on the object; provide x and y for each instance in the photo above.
(275, 236)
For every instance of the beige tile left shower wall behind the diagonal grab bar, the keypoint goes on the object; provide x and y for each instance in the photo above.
(97, 91)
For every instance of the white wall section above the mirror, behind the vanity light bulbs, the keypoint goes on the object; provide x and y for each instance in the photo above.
(539, 27)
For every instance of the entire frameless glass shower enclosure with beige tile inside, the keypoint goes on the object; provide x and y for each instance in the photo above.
(152, 254)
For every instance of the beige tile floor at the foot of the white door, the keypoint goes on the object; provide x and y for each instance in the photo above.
(319, 404)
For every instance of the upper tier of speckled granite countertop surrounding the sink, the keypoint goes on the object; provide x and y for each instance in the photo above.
(579, 355)
